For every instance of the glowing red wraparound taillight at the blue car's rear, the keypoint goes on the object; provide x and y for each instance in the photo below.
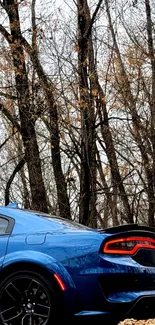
(128, 245)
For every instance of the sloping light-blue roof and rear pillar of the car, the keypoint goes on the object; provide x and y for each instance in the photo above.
(28, 221)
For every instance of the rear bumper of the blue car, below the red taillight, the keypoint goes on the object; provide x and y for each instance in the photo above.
(115, 289)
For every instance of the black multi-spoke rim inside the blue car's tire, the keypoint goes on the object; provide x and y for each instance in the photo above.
(24, 300)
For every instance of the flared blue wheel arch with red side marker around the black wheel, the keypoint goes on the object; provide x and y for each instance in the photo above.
(38, 263)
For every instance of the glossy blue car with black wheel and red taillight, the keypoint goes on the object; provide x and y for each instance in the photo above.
(55, 269)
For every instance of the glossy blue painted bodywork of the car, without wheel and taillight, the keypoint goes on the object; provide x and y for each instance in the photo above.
(74, 253)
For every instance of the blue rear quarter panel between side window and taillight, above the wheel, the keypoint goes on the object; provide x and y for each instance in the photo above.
(68, 255)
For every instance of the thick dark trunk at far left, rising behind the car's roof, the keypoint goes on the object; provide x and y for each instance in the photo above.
(27, 121)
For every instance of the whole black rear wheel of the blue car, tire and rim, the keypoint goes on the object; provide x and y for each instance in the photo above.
(28, 298)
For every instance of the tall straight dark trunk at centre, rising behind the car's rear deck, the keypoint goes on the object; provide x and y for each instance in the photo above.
(87, 209)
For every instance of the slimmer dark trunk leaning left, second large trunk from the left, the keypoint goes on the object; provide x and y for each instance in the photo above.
(53, 127)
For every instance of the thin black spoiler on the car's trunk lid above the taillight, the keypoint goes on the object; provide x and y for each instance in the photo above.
(128, 227)
